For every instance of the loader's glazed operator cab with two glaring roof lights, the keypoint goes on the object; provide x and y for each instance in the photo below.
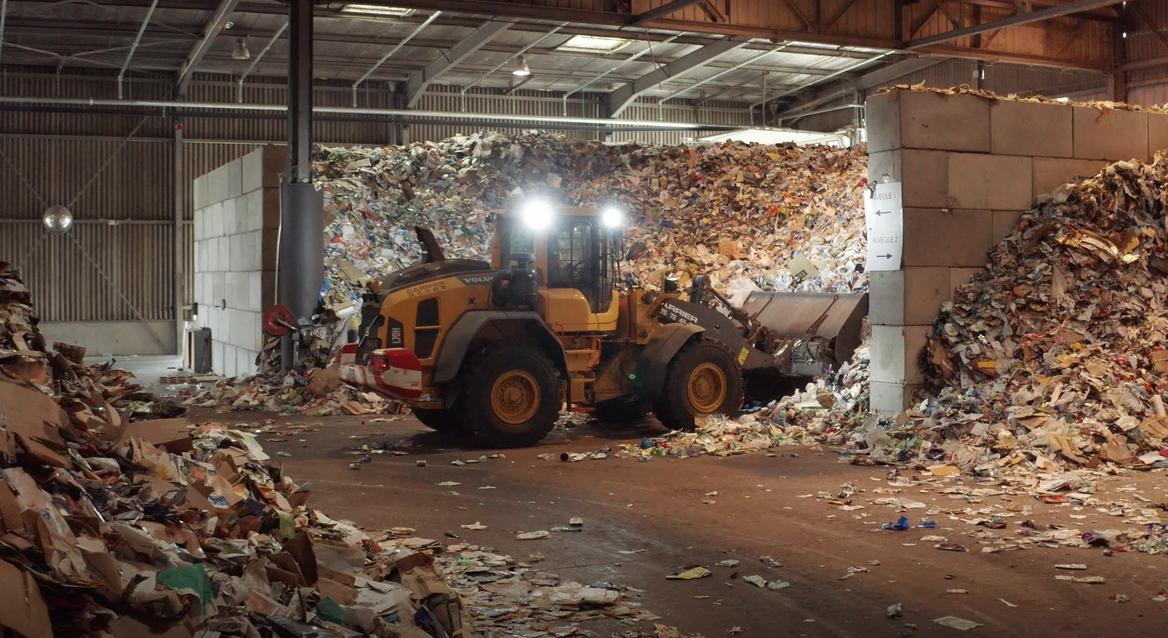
(576, 253)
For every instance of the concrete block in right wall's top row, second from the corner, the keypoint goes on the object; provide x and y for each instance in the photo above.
(1031, 129)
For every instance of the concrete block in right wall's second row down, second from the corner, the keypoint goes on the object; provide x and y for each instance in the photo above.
(991, 183)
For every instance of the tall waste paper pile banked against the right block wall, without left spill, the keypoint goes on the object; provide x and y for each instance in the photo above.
(1058, 351)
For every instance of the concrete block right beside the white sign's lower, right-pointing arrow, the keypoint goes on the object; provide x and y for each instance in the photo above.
(943, 238)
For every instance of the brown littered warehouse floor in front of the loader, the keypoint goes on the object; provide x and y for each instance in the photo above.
(658, 507)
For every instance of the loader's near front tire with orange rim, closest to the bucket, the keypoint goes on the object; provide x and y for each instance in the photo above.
(698, 364)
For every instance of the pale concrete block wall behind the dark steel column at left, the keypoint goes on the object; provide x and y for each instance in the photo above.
(238, 212)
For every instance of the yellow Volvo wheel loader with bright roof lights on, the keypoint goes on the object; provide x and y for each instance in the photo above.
(497, 351)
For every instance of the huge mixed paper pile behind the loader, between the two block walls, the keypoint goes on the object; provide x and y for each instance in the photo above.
(740, 212)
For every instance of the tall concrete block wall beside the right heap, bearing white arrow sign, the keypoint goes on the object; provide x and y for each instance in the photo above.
(969, 169)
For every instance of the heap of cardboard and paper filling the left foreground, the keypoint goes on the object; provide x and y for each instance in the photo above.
(117, 523)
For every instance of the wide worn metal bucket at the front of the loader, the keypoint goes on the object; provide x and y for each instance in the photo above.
(803, 315)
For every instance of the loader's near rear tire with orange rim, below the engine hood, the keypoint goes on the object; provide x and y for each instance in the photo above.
(522, 382)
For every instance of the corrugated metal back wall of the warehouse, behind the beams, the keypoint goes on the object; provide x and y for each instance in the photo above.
(94, 165)
